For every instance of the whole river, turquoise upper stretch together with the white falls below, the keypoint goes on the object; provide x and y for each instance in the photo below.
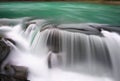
(52, 50)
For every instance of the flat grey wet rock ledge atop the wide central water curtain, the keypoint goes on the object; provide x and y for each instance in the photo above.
(79, 28)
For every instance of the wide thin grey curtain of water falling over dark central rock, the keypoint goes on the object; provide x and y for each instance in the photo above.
(80, 51)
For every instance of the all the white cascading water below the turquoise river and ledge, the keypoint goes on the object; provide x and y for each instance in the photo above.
(74, 56)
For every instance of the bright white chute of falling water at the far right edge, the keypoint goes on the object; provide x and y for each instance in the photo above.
(112, 41)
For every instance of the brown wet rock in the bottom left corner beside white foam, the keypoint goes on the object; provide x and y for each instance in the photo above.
(14, 73)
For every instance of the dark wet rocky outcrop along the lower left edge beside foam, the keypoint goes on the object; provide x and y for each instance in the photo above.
(10, 72)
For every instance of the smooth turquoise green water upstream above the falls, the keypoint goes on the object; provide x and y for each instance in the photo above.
(72, 12)
